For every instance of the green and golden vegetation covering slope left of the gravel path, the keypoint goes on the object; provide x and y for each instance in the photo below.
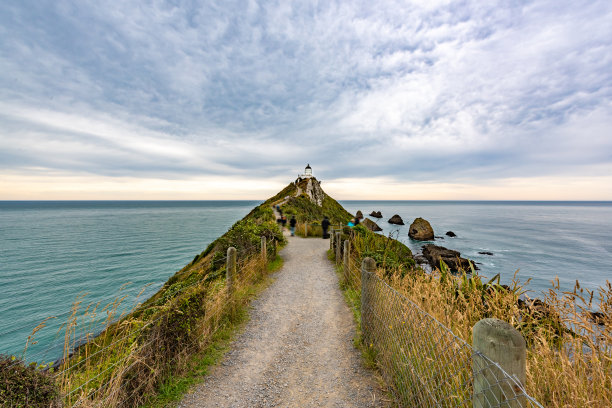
(177, 331)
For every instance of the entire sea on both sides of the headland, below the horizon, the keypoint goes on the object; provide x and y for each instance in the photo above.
(55, 254)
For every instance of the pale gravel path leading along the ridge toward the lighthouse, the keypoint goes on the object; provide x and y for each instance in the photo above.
(297, 350)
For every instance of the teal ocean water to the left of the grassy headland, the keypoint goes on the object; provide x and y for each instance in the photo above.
(52, 252)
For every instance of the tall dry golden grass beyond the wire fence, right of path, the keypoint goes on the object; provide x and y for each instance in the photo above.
(569, 353)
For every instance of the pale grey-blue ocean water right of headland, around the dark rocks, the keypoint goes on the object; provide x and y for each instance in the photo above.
(542, 240)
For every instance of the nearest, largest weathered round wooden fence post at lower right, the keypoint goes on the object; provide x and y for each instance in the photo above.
(504, 345)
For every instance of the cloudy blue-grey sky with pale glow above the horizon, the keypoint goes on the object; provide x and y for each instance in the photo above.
(427, 99)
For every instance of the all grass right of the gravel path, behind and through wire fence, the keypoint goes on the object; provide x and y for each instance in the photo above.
(569, 354)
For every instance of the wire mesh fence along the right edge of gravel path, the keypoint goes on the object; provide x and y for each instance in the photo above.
(422, 361)
